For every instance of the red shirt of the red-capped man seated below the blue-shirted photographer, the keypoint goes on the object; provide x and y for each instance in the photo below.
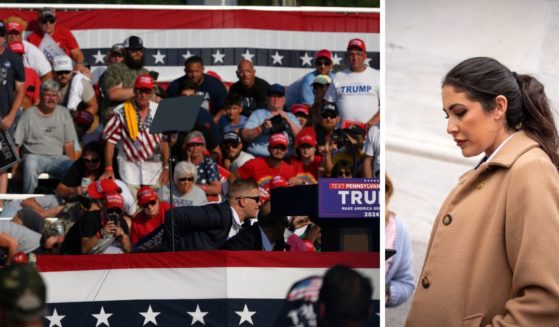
(258, 170)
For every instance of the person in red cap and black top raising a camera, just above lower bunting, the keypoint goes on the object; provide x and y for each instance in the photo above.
(103, 228)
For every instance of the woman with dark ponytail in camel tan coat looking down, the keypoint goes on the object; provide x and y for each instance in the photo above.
(492, 257)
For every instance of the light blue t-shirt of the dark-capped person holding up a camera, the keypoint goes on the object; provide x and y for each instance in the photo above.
(259, 146)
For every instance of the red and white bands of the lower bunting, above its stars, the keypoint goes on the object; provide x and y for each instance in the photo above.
(191, 275)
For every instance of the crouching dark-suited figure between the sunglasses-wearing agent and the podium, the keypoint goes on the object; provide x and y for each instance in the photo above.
(250, 238)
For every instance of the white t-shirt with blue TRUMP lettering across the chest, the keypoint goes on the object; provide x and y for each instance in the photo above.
(357, 95)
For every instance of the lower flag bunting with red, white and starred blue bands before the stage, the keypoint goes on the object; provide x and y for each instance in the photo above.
(215, 288)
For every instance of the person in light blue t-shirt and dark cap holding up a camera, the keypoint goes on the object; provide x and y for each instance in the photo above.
(264, 122)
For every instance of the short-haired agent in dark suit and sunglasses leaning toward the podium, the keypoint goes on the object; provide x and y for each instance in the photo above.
(208, 227)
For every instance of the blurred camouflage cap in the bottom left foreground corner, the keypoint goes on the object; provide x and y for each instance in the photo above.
(22, 293)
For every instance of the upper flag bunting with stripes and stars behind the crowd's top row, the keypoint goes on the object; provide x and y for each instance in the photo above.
(281, 43)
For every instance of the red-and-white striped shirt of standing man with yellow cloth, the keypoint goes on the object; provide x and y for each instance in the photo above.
(145, 145)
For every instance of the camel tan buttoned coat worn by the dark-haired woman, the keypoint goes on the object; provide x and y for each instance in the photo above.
(493, 257)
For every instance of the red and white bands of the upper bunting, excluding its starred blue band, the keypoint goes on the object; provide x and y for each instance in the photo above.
(221, 27)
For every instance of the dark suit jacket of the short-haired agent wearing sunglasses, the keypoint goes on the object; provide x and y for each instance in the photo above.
(198, 228)
